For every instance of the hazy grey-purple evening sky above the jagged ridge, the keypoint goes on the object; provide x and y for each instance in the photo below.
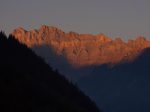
(115, 18)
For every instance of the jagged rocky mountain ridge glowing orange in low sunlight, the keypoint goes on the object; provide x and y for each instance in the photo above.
(83, 49)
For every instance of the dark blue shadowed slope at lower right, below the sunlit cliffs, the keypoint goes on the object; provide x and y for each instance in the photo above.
(122, 88)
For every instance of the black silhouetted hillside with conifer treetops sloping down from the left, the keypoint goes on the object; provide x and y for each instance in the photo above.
(28, 84)
